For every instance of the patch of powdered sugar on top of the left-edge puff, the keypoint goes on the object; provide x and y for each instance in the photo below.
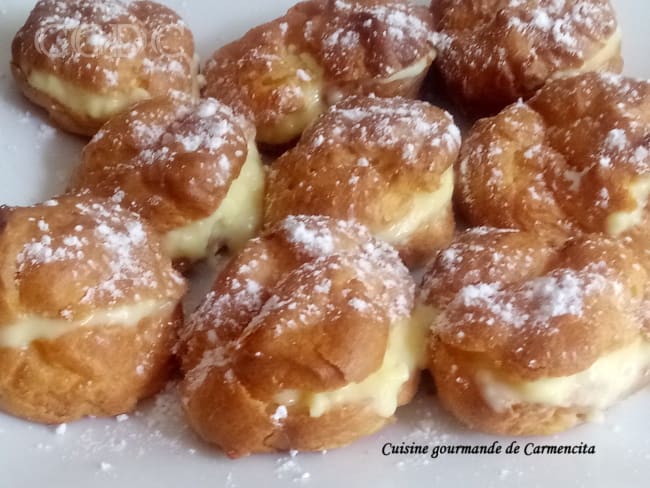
(111, 240)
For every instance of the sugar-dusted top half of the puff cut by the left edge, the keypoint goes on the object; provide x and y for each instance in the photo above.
(72, 257)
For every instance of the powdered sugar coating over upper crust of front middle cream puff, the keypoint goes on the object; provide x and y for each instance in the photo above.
(376, 286)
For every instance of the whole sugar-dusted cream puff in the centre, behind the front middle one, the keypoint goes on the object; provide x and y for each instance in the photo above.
(387, 163)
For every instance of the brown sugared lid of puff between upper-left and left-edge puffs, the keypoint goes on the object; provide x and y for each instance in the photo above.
(169, 159)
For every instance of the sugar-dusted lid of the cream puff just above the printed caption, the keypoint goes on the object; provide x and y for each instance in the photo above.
(515, 304)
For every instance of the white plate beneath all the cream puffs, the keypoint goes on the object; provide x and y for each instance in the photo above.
(153, 448)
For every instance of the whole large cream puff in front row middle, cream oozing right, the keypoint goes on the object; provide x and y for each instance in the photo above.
(305, 342)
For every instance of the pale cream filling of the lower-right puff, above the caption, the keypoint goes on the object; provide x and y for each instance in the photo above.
(594, 389)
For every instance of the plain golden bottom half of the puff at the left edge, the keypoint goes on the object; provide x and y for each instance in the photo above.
(99, 372)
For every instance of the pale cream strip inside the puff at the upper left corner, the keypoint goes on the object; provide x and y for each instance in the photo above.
(83, 101)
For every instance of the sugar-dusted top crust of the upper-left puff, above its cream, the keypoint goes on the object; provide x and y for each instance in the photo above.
(89, 40)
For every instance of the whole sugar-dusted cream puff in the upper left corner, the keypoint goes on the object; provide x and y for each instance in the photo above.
(86, 60)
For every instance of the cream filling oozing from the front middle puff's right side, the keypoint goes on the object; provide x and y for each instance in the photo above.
(405, 354)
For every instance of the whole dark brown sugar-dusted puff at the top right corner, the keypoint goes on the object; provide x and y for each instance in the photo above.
(493, 52)
